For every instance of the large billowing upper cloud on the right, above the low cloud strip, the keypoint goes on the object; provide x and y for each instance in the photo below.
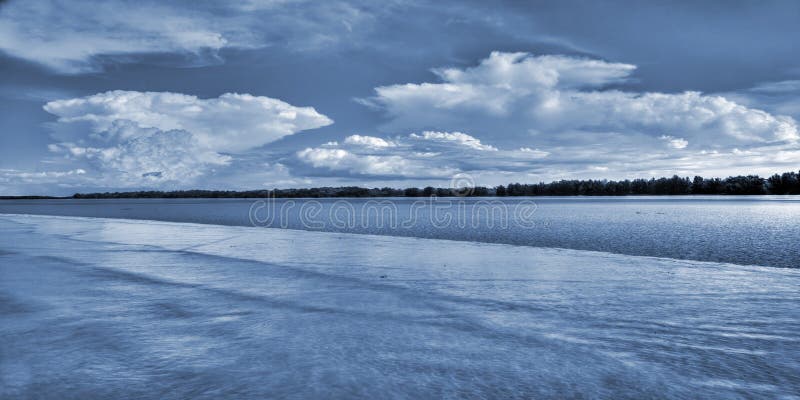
(513, 95)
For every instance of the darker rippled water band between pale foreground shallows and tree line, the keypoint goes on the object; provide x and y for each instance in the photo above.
(747, 230)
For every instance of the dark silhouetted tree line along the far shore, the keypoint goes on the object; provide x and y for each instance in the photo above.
(779, 184)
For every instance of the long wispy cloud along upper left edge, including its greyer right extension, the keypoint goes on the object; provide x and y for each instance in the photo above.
(79, 36)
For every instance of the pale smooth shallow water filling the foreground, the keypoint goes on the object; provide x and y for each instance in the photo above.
(98, 308)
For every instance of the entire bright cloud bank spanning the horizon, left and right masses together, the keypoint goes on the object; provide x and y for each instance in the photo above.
(513, 117)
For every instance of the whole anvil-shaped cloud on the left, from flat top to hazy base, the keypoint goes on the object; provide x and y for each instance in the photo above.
(158, 138)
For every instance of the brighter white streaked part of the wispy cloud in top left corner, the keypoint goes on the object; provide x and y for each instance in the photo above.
(66, 36)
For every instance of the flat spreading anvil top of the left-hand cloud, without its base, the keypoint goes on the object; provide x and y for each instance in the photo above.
(230, 123)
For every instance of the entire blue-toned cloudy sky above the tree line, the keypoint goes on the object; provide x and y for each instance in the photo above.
(131, 95)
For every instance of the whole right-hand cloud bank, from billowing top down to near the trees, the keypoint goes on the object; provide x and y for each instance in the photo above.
(575, 115)
